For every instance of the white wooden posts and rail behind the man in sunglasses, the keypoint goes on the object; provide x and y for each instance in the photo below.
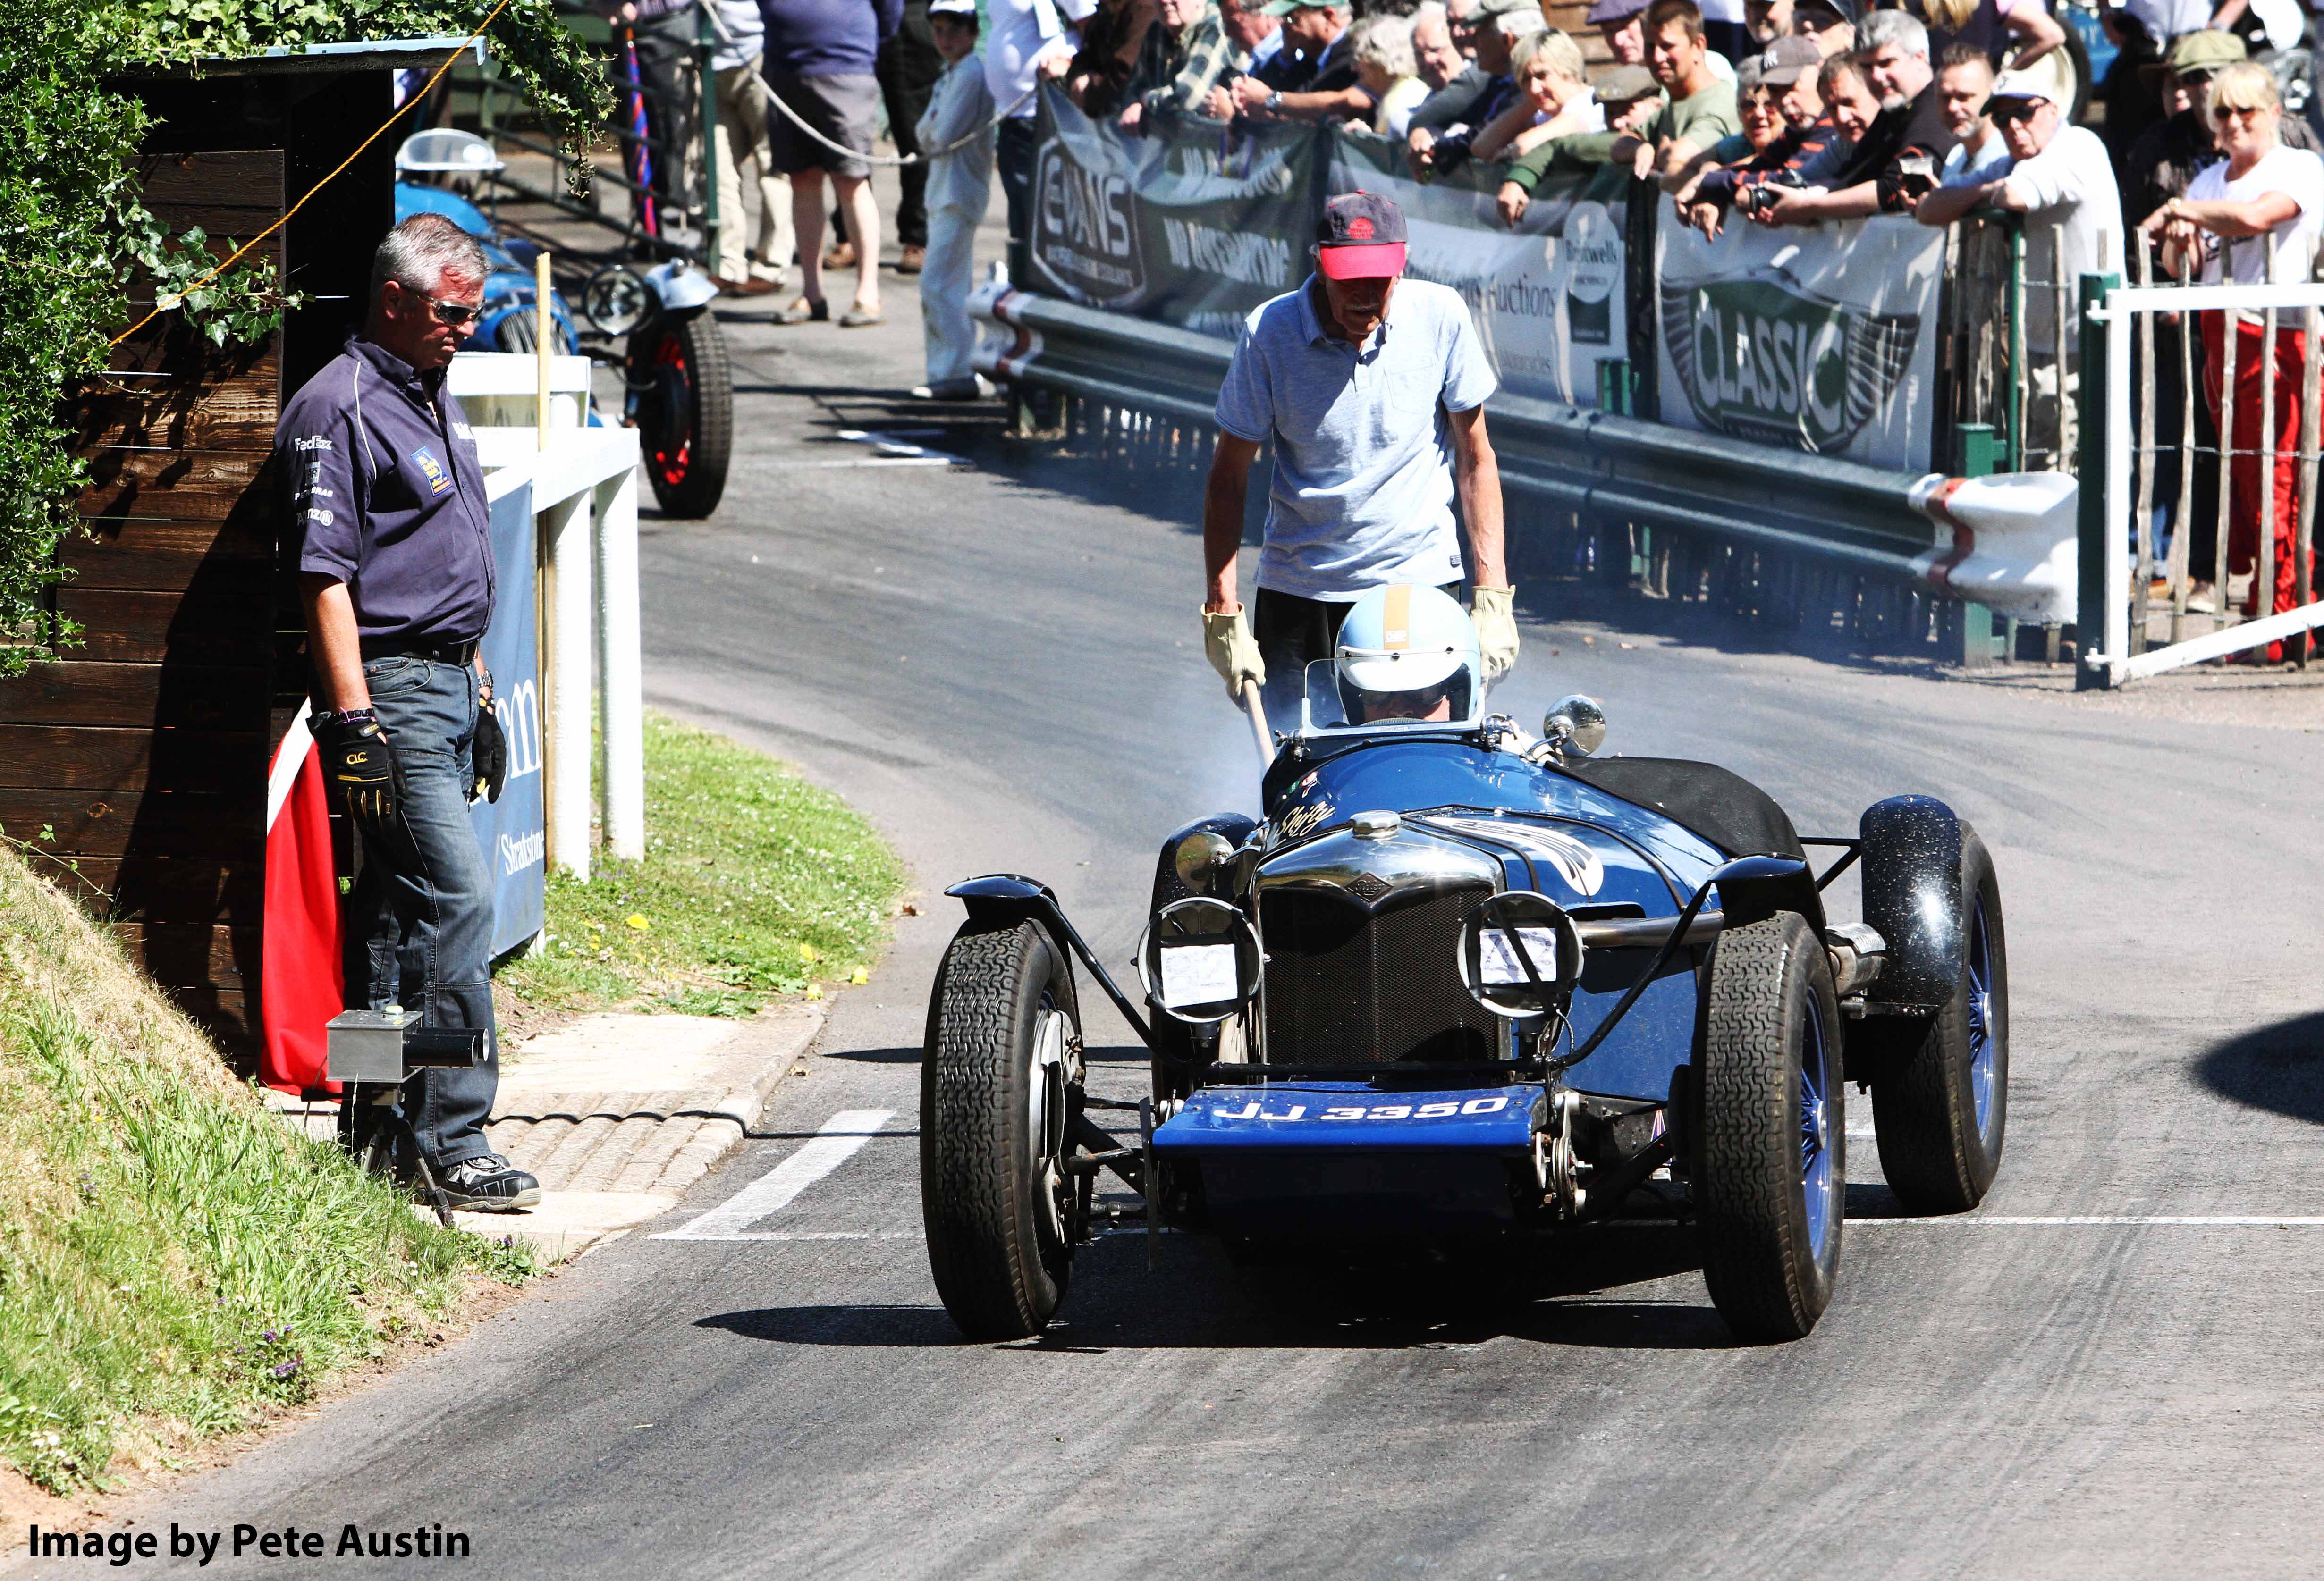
(584, 501)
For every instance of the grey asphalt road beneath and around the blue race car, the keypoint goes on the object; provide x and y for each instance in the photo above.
(1007, 673)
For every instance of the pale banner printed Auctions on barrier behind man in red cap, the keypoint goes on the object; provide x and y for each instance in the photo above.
(1547, 294)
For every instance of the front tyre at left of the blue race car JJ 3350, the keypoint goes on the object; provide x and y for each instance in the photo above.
(998, 1238)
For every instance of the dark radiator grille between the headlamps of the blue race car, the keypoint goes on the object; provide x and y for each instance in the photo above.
(1370, 987)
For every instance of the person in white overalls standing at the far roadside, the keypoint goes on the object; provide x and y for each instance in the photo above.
(959, 187)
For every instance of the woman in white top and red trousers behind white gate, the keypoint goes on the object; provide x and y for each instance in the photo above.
(2262, 203)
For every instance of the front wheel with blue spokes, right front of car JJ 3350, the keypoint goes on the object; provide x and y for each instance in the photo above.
(1770, 1224)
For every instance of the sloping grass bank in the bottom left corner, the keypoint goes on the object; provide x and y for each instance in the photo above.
(173, 1261)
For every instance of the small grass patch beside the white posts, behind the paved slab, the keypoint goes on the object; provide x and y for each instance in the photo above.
(754, 887)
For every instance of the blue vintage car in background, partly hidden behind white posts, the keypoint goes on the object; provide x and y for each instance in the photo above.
(680, 387)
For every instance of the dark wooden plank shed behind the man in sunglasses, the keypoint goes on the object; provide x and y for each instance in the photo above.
(143, 757)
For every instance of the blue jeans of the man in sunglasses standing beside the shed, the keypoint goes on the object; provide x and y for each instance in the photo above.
(419, 922)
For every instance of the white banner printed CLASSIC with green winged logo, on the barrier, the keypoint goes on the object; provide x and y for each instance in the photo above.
(1807, 338)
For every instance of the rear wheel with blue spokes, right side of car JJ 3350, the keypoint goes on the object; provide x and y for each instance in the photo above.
(1939, 1136)
